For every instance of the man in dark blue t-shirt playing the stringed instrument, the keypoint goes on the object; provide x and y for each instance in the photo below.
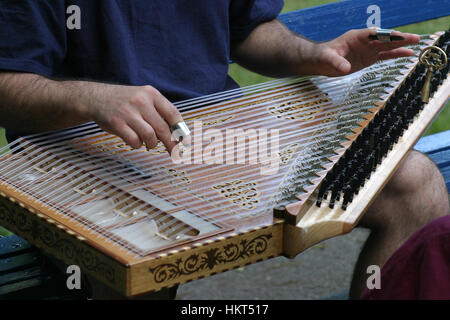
(129, 59)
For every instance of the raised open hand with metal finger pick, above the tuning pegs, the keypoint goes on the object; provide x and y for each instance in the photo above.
(354, 51)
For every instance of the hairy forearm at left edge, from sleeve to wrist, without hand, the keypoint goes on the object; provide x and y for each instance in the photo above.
(33, 103)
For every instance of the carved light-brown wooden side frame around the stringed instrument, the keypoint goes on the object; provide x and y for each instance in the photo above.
(132, 275)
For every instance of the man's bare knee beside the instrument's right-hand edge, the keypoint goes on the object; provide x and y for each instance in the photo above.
(415, 195)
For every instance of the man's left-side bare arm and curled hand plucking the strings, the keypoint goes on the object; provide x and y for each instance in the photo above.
(137, 114)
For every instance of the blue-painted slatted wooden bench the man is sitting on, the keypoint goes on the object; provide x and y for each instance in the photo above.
(26, 273)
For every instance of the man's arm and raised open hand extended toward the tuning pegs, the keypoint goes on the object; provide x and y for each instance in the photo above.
(273, 50)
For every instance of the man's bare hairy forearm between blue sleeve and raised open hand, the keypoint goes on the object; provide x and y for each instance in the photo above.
(273, 50)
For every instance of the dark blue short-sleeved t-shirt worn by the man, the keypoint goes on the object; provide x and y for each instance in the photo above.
(181, 47)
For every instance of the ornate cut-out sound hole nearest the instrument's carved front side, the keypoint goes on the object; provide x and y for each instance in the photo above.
(244, 194)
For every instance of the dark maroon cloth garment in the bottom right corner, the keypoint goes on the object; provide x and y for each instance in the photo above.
(420, 268)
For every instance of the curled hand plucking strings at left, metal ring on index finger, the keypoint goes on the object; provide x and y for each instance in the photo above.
(139, 115)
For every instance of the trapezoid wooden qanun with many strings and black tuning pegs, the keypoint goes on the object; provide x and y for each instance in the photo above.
(273, 169)
